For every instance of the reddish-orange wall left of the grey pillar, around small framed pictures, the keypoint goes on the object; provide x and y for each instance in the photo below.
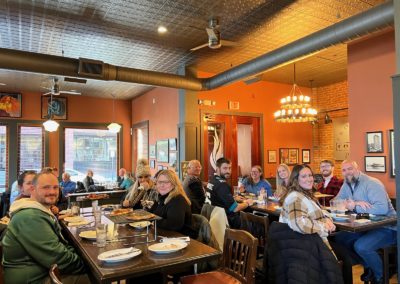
(160, 107)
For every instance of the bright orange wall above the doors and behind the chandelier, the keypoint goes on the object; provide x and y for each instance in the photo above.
(263, 98)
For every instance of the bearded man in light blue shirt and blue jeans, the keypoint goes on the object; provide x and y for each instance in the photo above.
(365, 194)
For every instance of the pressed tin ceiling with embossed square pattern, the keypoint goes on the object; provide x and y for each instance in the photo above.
(124, 33)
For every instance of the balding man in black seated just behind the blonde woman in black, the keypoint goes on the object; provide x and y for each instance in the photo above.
(194, 187)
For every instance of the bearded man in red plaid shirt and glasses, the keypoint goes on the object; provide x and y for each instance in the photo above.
(331, 184)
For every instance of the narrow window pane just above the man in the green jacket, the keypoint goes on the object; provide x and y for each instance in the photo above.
(30, 151)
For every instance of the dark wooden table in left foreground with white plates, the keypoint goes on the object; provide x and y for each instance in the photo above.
(143, 264)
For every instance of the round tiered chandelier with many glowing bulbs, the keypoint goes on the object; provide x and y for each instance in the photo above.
(296, 107)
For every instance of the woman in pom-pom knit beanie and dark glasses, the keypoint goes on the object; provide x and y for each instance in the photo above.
(143, 192)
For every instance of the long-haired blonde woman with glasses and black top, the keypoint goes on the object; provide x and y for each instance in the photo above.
(173, 205)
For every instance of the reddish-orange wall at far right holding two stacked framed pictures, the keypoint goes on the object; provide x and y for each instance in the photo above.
(370, 64)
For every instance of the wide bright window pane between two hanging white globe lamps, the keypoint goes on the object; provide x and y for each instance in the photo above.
(94, 149)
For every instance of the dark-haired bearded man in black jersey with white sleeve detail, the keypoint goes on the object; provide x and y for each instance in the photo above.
(221, 193)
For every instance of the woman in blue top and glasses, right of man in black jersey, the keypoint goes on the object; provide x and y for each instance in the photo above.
(256, 183)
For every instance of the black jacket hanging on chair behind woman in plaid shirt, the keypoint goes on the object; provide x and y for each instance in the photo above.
(298, 258)
